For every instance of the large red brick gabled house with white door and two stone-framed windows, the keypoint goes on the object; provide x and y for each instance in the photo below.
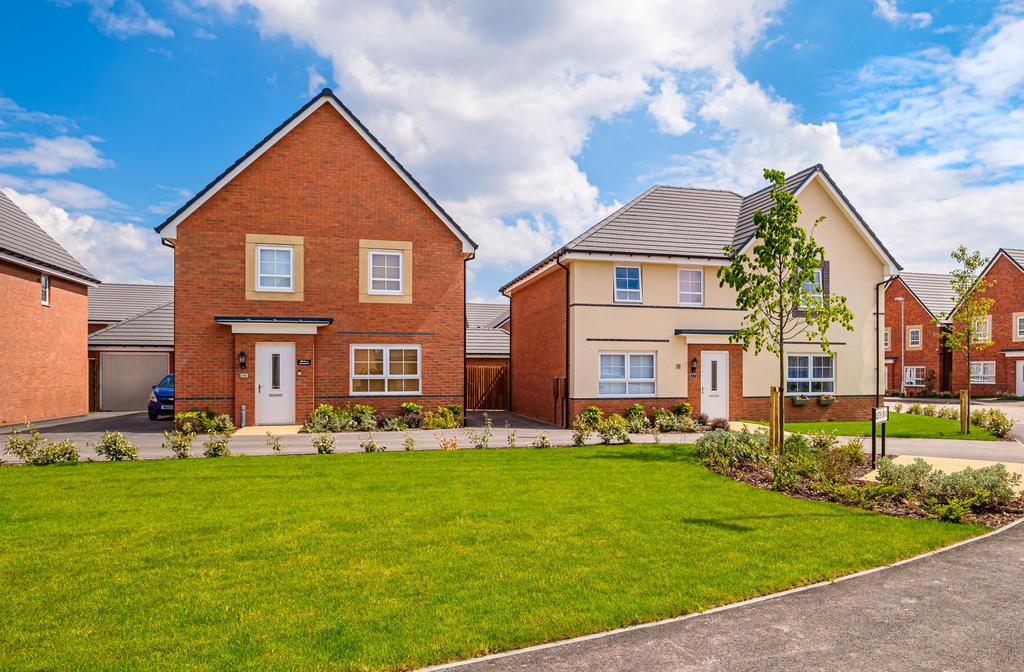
(317, 270)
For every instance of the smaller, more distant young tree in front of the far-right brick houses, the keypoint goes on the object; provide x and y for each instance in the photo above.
(966, 330)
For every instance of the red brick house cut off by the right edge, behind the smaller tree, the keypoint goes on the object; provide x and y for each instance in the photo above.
(999, 368)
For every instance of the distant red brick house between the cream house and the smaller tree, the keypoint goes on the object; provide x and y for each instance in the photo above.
(916, 307)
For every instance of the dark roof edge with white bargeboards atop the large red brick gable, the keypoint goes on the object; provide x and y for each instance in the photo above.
(326, 97)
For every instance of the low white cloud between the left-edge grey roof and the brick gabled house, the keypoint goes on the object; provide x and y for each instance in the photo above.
(113, 251)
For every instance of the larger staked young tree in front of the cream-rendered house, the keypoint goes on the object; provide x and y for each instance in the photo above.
(778, 284)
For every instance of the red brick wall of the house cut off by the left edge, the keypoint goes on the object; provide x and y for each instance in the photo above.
(45, 369)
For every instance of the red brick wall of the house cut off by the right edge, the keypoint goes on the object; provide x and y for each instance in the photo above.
(1007, 289)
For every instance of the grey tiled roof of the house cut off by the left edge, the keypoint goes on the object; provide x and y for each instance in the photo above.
(25, 243)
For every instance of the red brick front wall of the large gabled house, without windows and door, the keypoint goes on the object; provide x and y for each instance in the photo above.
(324, 183)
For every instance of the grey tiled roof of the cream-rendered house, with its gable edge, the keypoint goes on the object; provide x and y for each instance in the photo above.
(688, 223)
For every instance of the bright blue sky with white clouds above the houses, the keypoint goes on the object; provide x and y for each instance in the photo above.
(528, 120)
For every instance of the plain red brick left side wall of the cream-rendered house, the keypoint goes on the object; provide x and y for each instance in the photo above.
(538, 347)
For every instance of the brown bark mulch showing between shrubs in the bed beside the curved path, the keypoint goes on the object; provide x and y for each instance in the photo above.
(760, 477)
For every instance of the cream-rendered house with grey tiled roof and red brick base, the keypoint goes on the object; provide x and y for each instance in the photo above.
(631, 312)
